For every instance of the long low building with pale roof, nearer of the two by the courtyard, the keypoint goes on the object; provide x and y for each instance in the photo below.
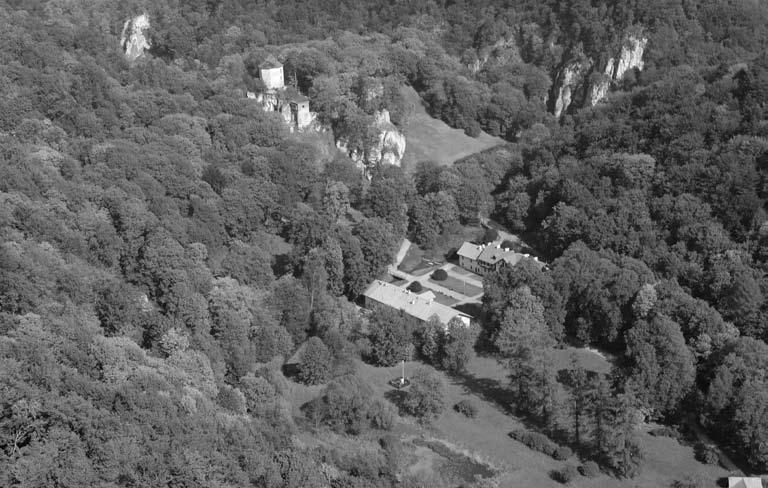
(421, 307)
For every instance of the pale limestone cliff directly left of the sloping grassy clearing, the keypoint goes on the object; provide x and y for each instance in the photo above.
(388, 148)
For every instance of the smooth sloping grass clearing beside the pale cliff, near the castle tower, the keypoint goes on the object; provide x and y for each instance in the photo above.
(432, 139)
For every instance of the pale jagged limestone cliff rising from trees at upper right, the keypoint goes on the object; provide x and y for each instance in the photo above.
(583, 81)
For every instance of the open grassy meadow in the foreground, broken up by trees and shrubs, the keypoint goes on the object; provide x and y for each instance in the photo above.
(485, 438)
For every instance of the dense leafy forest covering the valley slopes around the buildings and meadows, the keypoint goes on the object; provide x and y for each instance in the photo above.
(166, 245)
